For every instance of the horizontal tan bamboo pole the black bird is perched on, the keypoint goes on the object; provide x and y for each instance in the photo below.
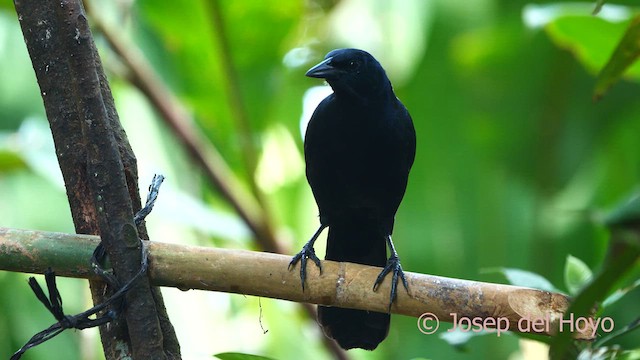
(266, 274)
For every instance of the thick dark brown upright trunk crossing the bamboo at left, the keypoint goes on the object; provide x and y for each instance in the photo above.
(98, 166)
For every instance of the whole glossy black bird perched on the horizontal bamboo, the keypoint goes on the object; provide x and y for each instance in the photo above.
(359, 147)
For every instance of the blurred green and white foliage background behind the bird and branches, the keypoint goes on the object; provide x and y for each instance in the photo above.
(515, 166)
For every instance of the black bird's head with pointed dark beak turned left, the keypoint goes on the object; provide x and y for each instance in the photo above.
(352, 72)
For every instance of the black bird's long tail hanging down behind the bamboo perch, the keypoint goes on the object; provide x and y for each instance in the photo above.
(357, 241)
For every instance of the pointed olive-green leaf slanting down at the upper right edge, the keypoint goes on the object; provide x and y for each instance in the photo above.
(625, 54)
